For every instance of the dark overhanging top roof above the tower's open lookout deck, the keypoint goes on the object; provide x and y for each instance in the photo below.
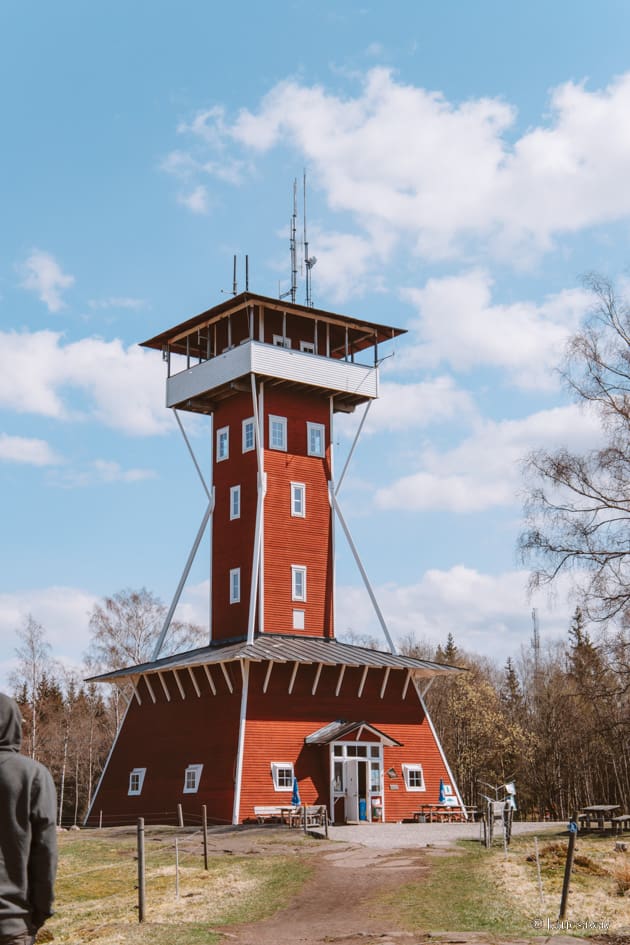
(180, 338)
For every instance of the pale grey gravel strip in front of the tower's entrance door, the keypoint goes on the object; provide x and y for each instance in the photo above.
(408, 836)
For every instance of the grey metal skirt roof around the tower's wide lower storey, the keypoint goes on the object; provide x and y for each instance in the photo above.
(282, 648)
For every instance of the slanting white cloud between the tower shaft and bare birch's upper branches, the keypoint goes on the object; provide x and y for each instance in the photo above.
(484, 470)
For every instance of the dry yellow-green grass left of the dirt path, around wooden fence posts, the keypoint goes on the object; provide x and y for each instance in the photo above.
(97, 894)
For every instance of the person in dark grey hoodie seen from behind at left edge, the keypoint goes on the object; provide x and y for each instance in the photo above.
(28, 835)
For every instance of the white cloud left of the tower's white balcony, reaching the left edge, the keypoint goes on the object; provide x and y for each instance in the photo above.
(123, 387)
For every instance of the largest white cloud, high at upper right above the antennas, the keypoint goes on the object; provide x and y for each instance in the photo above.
(441, 174)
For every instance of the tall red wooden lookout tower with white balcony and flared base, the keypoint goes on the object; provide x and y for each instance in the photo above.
(273, 696)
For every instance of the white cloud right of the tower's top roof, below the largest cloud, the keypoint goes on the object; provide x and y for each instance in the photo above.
(459, 325)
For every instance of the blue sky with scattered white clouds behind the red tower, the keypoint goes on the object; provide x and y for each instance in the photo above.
(467, 163)
